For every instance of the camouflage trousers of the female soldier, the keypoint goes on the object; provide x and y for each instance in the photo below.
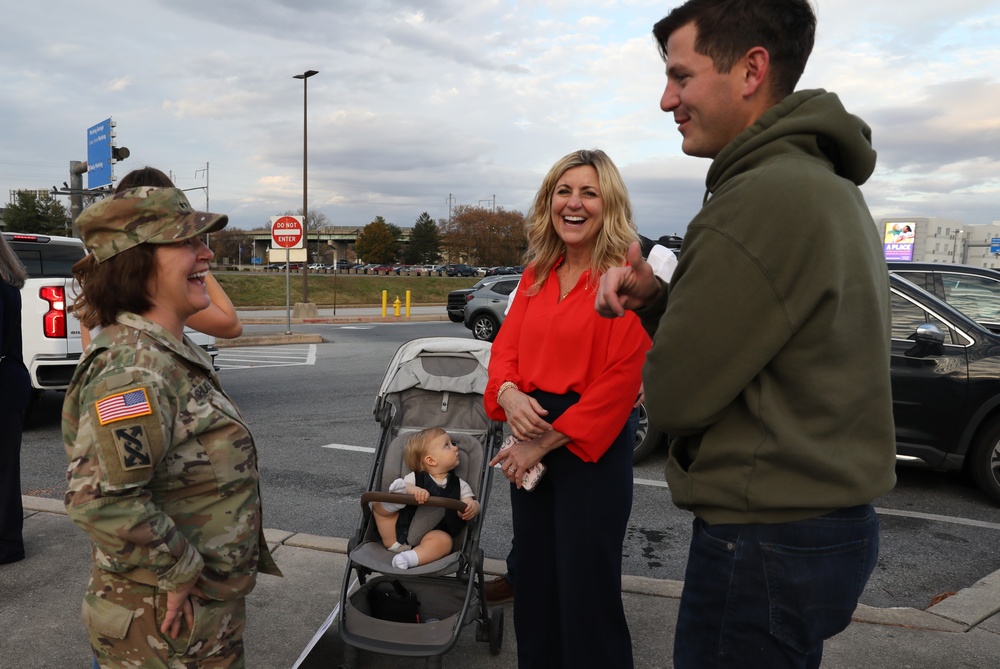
(123, 619)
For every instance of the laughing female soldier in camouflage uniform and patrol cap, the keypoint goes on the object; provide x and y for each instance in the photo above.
(162, 467)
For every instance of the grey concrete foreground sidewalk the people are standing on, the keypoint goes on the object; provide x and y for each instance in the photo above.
(40, 600)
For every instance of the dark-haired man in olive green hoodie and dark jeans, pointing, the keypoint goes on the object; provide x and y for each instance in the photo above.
(770, 359)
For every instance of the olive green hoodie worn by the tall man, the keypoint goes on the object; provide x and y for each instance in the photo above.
(770, 364)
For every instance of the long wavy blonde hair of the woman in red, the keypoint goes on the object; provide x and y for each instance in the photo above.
(544, 245)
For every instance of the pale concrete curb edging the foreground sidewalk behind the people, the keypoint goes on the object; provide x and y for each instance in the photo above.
(971, 607)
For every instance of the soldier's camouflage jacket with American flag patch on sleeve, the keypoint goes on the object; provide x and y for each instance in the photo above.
(162, 467)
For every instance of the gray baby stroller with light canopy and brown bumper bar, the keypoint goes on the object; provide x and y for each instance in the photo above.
(430, 382)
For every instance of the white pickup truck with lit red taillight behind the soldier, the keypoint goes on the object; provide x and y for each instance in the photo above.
(50, 333)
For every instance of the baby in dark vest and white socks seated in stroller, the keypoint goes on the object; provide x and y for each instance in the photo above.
(431, 456)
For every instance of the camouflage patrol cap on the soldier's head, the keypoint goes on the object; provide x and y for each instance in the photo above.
(143, 216)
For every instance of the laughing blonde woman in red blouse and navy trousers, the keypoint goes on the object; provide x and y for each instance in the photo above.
(566, 381)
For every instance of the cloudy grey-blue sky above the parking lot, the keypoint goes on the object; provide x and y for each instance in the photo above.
(419, 103)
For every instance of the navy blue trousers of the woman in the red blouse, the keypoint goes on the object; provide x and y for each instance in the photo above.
(569, 533)
